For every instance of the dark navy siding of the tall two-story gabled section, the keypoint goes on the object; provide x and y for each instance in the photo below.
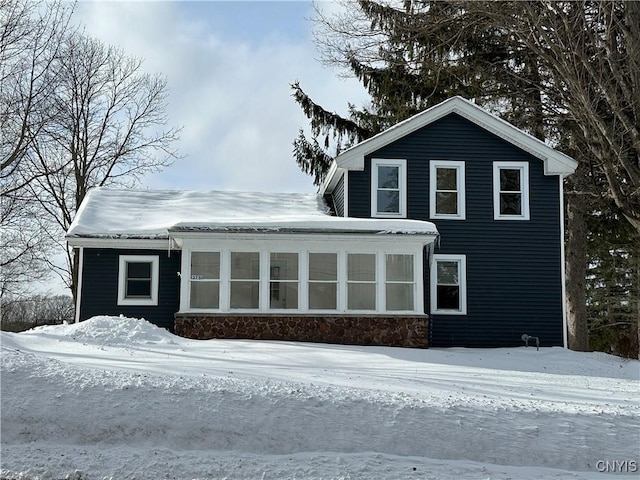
(513, 267)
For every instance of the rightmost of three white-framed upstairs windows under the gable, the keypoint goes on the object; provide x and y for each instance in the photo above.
(511, 190)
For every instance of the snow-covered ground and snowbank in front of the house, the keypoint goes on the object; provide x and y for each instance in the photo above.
(119, 398)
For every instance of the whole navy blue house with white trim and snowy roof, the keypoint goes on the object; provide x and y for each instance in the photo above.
(444, 230)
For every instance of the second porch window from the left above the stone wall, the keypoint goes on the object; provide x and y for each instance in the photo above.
(245, 280)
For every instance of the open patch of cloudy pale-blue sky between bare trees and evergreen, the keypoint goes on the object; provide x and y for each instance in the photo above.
(229, 67)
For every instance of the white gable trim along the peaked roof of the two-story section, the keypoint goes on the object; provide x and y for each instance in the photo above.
(555, 162)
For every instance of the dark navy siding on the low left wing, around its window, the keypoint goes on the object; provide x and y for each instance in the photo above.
(100, 286)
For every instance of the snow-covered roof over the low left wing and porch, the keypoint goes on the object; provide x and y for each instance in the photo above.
(154, 214)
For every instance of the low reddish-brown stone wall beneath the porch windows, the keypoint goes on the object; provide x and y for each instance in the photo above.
(392, 331)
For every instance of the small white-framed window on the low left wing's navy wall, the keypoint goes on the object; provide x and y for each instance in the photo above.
(138, 280)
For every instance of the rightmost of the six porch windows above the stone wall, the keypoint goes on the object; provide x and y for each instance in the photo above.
(400, 282)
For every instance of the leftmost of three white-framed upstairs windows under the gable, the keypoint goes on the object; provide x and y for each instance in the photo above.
(388, 188)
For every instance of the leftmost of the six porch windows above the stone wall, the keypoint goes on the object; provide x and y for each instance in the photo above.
(205, 280)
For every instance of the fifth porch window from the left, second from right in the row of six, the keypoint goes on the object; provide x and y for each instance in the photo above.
(361, 281)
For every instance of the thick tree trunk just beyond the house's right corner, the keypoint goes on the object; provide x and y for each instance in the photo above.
(576, 270)
